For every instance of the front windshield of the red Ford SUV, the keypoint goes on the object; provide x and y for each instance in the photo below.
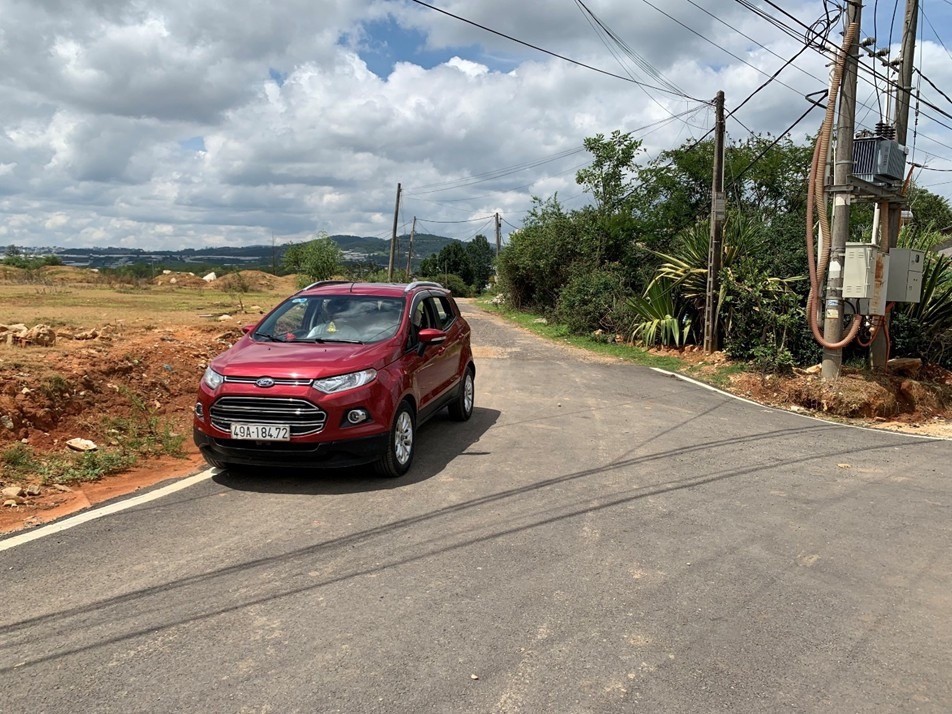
(334, 318)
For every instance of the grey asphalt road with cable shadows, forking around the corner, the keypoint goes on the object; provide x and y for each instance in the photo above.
(598, 538)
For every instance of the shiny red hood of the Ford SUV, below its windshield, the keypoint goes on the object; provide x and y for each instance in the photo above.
(301, 359)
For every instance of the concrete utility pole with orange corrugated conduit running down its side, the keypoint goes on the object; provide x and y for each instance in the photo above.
(840, 230)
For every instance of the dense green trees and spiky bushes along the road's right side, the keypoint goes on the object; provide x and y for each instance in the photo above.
(634, 264)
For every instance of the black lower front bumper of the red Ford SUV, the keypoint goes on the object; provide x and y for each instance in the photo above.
(289, 454)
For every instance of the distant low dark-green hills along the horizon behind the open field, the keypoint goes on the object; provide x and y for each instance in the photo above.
(356, 249)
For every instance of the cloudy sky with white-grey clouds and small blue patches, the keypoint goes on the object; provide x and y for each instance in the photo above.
(198, 123)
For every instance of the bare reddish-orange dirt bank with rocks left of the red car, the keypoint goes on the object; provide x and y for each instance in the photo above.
(86, 388)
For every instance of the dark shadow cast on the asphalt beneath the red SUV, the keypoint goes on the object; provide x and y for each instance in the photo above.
(439, 441)
